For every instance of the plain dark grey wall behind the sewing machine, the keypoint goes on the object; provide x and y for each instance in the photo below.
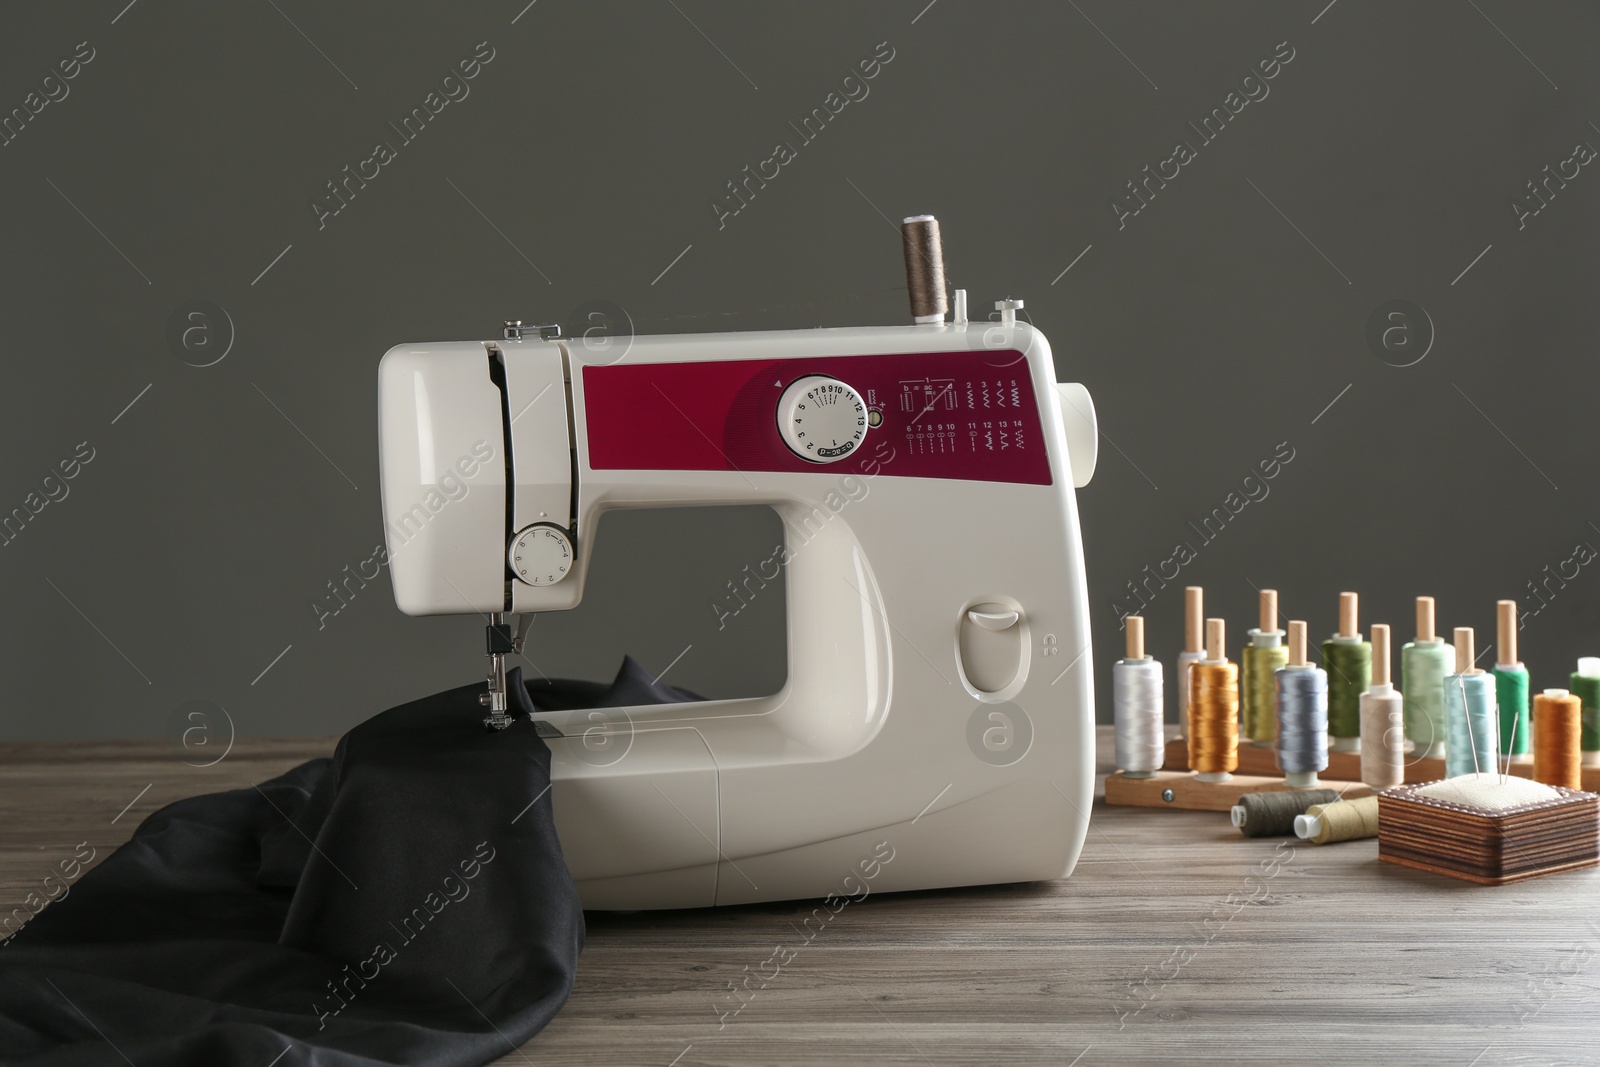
(1222, 321)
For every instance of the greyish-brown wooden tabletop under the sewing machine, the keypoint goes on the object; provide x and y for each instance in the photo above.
(1175, 941)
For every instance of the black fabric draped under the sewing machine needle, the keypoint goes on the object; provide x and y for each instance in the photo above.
(402, 903)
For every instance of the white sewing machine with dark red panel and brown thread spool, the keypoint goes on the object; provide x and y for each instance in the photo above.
(940, 692)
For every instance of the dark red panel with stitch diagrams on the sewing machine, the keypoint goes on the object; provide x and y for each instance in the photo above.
(940, 415)
